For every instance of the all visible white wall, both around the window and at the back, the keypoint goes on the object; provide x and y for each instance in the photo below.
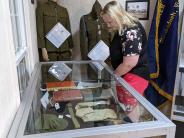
(9, 95)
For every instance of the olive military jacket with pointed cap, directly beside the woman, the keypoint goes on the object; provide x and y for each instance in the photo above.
(92, 30)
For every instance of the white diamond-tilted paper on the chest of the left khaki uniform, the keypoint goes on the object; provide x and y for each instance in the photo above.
(57, 35)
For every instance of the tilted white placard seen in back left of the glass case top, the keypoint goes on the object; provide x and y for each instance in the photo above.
(60, 71)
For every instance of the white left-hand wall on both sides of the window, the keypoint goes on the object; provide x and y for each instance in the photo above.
(9, 92)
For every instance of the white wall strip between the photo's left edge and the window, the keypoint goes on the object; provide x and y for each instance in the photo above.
(9, 94)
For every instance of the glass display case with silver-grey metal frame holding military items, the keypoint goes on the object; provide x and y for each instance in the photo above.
(84, 105)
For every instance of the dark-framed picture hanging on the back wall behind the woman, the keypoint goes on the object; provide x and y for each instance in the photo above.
(139, 9)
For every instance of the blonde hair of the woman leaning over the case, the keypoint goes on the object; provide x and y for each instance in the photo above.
(123, 18)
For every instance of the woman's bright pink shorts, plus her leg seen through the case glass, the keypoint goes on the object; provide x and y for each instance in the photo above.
(131, 104)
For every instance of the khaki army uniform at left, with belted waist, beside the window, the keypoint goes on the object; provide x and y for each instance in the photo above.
(47, 16)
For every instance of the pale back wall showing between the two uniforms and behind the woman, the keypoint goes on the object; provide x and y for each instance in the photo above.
(78, 8)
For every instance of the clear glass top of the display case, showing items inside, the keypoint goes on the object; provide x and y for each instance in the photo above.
(85, 98)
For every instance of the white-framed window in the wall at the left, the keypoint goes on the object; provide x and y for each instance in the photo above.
(20, 43)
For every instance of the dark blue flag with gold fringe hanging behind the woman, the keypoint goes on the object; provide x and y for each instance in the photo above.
(162, 50)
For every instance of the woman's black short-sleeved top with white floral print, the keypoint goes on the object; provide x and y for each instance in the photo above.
(131, 42)
